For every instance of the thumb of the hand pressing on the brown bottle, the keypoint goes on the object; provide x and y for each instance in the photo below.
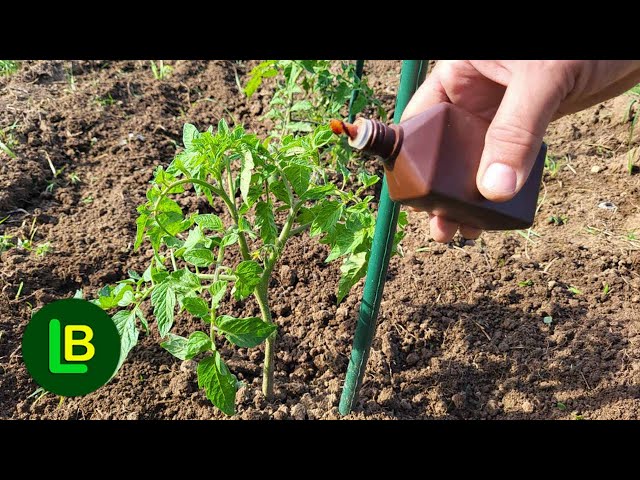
(514, 137)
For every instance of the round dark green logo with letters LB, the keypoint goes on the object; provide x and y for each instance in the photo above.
(71, 347)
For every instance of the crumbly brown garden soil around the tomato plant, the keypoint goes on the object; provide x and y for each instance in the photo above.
(461, 330)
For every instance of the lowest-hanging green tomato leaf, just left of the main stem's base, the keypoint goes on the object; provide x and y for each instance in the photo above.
(218, 382)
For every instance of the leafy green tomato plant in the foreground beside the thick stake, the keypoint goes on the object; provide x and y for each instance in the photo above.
(270, 189)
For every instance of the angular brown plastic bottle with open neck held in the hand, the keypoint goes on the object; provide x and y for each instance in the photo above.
(431, 162)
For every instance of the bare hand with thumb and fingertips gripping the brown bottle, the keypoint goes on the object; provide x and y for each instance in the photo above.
(520, 98)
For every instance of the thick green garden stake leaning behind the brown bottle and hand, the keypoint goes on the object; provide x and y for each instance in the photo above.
(412, 74)
